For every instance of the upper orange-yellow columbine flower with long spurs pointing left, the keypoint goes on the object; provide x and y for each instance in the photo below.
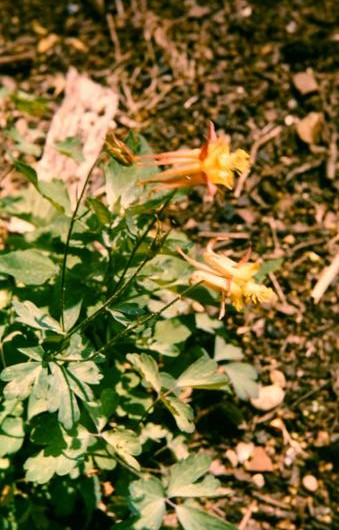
(210, 165)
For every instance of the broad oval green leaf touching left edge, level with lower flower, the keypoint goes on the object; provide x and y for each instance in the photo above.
(30, 267)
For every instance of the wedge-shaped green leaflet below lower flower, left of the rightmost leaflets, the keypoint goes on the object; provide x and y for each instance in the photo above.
(202, 374)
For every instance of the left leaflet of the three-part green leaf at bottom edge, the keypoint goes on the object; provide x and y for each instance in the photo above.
(148, 502)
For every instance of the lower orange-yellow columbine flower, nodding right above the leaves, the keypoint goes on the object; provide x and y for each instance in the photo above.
(231, 279)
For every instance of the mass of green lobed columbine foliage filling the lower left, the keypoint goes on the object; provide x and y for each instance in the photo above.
(99, 350)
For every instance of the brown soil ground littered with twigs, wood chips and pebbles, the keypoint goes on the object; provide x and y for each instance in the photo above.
(177, 65)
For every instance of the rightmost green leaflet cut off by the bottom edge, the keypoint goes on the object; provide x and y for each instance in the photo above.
(194, 519)
